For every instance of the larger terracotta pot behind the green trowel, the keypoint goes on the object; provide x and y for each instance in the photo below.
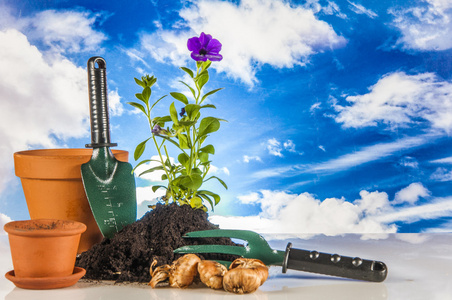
(53, 187)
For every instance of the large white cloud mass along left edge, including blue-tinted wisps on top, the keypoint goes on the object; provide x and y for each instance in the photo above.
(40, 89)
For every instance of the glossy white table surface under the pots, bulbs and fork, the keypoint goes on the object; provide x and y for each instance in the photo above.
(420, 267)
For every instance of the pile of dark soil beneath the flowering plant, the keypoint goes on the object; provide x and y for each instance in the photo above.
(128, 255)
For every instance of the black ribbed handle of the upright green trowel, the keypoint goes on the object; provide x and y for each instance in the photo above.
(98, 105)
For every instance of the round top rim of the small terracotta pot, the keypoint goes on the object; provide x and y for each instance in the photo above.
(44, 228)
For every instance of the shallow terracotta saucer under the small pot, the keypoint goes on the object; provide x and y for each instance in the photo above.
(45, 283)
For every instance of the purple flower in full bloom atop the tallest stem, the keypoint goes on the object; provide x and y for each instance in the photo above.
(204, 48)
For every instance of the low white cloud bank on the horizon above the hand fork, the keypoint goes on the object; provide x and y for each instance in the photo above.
(304, 214)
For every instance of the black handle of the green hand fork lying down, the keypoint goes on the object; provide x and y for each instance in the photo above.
(334, 264)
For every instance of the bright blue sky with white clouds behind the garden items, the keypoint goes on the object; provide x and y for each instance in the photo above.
(339, 112)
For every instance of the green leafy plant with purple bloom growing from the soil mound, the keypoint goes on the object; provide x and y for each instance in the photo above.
(187, 131)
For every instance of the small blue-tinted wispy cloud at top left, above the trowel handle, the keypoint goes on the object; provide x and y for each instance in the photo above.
(65, 31)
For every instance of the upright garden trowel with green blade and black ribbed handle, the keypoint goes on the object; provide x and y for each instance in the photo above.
(109, 183)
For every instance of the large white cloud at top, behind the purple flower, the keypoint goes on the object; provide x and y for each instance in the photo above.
(253, 33)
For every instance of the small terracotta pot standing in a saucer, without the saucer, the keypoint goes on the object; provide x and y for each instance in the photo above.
(44, 248)
